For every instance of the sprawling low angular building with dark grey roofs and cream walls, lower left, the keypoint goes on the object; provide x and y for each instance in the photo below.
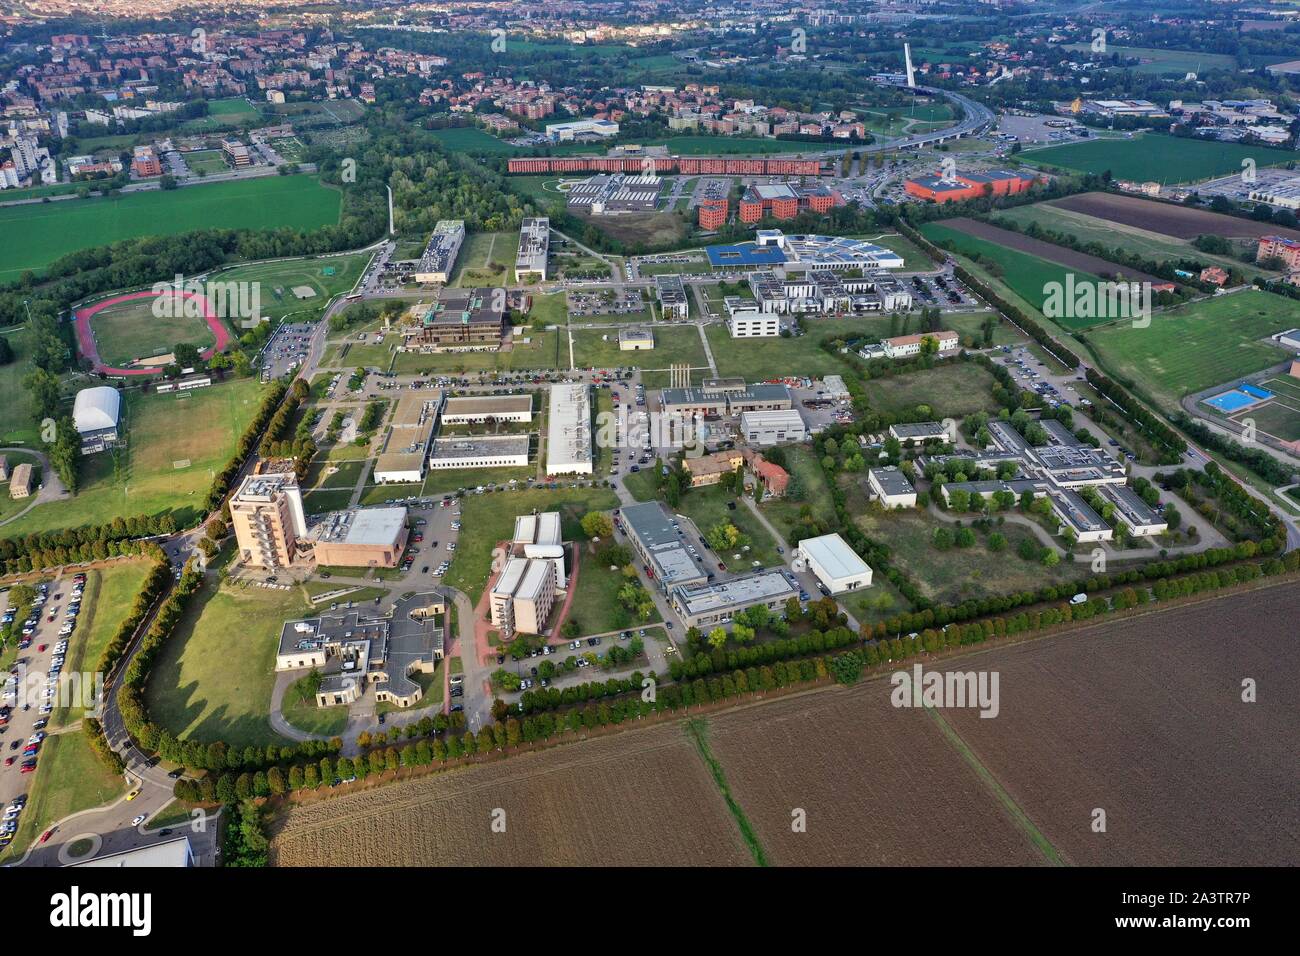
(354, 650)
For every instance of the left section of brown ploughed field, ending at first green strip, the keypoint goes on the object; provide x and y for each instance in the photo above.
(614, 802)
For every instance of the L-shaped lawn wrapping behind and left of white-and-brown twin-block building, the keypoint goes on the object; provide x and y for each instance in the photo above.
(491, 518)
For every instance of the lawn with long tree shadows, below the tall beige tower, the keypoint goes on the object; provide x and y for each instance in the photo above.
(214, 678)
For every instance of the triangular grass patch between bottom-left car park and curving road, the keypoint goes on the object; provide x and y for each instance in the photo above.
(71, 780)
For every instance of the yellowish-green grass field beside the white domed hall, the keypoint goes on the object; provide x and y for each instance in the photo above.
(175, 443)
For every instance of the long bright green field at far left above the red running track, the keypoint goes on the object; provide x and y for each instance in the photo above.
(34, 236)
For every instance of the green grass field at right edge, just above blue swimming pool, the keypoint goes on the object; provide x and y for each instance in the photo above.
(1198, 345)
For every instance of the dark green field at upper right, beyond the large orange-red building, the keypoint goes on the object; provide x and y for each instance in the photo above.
(1156, 157)
